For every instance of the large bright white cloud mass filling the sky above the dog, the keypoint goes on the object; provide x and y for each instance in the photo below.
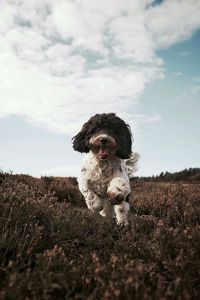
(62, 61)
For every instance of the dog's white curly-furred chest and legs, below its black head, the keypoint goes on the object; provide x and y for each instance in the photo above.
(101, 181)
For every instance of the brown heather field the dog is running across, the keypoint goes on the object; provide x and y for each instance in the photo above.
(53, 247)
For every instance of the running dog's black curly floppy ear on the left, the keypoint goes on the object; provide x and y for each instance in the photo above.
(80, 140)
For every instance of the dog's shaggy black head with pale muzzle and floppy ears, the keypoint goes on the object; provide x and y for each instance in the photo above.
(104, 134)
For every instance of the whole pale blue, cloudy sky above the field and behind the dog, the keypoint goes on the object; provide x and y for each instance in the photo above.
(63, 61)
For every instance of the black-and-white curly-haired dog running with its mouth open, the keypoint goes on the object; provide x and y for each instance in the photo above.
(108, 164)
